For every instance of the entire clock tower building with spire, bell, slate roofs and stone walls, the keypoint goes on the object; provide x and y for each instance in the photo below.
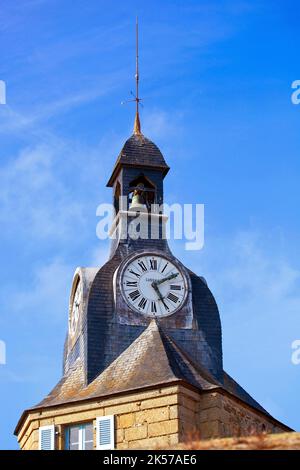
(142, 361)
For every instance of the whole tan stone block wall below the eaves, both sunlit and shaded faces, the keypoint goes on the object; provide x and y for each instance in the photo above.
(152, 419)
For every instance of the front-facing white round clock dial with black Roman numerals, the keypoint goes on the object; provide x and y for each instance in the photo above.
(153, 285)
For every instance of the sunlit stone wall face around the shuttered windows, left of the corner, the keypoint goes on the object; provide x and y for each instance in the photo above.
(148, 419)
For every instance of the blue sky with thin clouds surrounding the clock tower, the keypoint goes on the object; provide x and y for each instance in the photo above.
(216, 80)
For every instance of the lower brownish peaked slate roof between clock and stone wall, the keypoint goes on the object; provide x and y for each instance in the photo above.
(153, 359)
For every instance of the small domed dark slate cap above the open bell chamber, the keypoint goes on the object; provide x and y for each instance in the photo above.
(139, 151)
